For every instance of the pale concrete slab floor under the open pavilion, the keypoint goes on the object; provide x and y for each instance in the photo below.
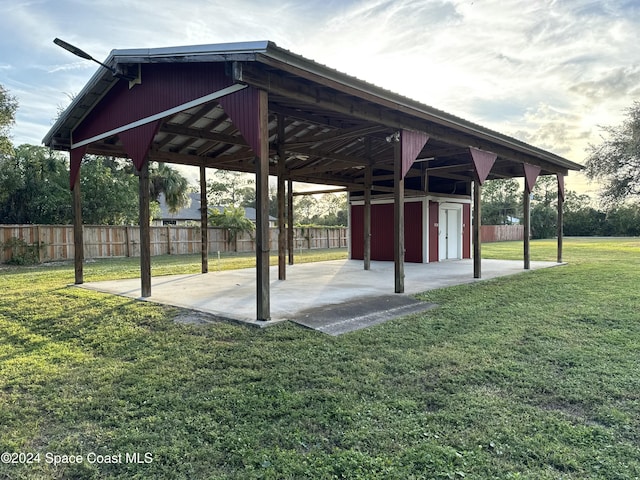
(231, 294)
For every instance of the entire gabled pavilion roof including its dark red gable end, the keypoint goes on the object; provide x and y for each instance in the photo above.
(335, 125)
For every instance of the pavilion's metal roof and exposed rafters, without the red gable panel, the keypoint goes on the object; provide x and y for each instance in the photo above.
(335, 124)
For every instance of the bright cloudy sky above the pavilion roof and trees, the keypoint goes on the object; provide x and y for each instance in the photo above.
(548, 72)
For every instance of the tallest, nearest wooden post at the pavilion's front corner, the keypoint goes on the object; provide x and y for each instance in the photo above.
(262, 210)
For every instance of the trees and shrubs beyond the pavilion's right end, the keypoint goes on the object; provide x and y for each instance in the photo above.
(615, 163)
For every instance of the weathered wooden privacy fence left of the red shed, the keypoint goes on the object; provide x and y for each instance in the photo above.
(56, 241)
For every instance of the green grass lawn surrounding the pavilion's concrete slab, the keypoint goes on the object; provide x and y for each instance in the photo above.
(533, 376)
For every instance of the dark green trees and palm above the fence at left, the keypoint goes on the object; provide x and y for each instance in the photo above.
(34, 188)
